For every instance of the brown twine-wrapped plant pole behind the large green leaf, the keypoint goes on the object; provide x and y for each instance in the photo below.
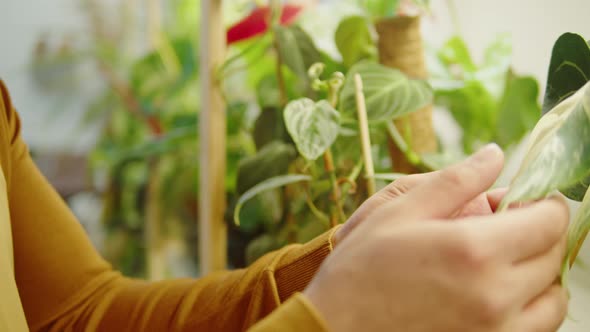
(401, 47)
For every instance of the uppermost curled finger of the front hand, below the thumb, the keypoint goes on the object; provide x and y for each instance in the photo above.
(521, 234)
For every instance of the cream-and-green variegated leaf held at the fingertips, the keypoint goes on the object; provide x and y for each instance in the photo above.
(558, 155)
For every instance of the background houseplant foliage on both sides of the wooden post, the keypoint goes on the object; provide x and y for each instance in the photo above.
(295, 158)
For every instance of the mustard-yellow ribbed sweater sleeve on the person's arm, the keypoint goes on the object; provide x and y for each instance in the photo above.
(65, 285)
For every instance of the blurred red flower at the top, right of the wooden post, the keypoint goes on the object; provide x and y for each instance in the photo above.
(257, 22)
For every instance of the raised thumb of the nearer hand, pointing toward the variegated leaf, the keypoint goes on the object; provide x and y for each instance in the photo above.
(450, 189)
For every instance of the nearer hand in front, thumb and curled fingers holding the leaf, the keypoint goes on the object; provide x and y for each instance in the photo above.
(404, 269)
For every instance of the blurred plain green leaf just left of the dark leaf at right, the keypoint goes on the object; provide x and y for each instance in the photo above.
(519, 110)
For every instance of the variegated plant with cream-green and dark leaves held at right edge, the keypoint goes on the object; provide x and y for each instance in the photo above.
(558, 153)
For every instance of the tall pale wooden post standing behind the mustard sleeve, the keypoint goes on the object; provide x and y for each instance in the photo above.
(212, 204)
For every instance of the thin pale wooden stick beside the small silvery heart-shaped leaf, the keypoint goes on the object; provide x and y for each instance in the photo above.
(365, 137)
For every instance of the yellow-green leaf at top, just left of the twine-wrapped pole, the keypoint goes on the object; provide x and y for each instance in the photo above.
(354, 40)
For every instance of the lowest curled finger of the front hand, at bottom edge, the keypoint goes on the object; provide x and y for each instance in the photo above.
(545, 314)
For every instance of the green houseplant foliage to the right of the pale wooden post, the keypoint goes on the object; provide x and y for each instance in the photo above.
(308, 101)
